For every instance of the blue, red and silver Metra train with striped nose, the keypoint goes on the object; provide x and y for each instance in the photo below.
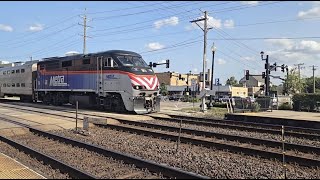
(114, 80)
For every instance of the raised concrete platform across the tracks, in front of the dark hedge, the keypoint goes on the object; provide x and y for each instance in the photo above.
(280, 117)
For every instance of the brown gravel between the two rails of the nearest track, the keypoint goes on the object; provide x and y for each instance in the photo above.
(91, 162)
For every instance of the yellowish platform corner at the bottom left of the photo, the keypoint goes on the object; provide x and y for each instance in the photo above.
(12, 169)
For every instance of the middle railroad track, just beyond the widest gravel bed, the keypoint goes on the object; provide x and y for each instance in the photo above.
(231, 144)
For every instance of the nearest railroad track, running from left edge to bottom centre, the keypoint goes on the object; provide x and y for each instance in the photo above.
(62, 144)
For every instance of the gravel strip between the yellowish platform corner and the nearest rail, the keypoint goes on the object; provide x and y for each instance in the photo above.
(32, 163)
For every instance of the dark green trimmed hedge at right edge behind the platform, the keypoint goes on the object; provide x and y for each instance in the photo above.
(305, 102)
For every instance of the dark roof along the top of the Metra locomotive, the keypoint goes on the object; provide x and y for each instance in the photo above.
(78, 56)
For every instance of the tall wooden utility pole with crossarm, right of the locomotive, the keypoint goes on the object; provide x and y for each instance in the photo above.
(205, 30)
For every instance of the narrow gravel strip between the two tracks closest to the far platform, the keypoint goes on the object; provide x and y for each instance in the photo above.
(266, 136)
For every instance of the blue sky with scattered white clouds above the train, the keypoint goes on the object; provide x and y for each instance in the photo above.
(287, 31)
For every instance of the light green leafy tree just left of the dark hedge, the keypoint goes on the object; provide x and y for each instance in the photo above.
(292, 83)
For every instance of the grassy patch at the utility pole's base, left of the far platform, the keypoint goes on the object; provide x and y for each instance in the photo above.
(214, 112)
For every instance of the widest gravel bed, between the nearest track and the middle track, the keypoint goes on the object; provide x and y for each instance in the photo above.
(204, 161)
